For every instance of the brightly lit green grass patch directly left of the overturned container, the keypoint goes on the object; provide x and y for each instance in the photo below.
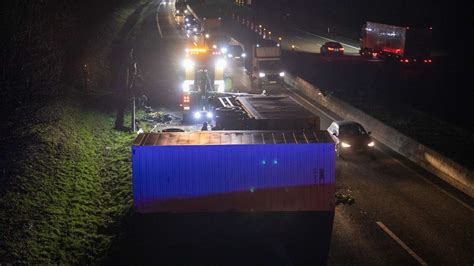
(76, 183)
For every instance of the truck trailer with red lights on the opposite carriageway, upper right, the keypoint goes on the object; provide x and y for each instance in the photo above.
(405, 44)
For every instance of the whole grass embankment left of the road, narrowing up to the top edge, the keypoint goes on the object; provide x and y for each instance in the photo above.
(72, 183)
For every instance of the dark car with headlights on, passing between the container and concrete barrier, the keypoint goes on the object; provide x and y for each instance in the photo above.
(350, 137)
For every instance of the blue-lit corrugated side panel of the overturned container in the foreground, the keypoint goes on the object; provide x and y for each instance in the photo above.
(234, 177)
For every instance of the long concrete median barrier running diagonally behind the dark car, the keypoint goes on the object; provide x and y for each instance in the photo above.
(443, 167)
